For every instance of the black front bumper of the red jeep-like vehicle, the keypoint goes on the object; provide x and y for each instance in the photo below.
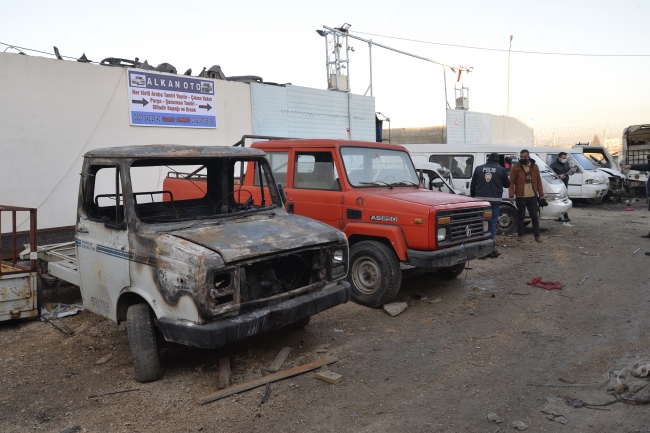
(450, 256)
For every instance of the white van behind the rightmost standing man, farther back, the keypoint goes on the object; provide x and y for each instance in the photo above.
(588, 182)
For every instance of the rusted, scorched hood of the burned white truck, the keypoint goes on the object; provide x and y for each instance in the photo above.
(239, 239)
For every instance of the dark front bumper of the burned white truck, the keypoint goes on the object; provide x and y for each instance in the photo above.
(221, 332)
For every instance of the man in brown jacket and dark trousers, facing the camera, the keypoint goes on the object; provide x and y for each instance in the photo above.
(525, 189)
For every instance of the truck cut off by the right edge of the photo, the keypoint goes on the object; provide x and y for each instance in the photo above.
(635, 150)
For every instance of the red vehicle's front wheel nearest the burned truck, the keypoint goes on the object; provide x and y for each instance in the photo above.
(375, 274)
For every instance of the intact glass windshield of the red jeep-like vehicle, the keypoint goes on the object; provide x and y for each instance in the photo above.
(368, 167)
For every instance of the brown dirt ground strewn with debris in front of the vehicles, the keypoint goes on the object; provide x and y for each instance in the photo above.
(462, 349)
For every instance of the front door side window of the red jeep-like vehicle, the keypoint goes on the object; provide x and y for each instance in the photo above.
(315, 170)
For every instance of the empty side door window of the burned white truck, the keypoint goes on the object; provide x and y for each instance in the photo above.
(104, 188)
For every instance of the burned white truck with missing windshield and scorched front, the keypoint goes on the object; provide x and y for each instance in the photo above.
(201, 267)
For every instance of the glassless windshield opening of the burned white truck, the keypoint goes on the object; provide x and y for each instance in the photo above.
(183, 189)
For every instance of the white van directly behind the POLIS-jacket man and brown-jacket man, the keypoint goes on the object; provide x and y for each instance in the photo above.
(461, 159)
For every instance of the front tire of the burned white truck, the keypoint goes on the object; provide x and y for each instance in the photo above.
(144, 346)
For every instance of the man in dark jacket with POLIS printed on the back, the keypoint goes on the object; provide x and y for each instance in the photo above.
(487, 184)
